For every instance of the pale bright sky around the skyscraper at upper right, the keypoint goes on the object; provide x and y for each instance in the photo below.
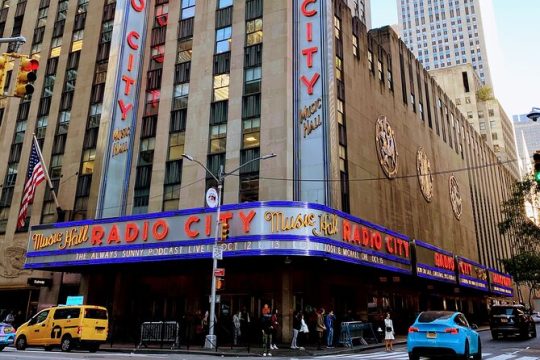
(515, 68)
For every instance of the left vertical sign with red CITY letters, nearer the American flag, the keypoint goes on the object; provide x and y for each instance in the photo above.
(120, 105)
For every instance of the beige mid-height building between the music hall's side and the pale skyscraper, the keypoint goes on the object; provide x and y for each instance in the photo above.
(482, 110)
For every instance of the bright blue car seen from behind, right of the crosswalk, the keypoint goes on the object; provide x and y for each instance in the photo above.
(443, 334)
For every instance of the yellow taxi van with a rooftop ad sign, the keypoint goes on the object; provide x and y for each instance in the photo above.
(67, 327)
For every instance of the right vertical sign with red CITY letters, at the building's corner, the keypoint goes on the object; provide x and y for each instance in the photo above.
(311, 106)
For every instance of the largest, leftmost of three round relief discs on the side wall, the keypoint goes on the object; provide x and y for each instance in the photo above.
(385, 139)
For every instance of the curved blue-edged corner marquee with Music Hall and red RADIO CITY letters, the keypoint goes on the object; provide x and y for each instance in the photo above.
(256, 229)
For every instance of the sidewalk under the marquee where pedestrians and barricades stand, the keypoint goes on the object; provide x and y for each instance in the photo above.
(283, 351)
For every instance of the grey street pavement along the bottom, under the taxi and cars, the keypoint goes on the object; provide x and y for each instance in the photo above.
(508, 349)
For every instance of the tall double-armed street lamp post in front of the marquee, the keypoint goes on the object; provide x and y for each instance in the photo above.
(211, 338)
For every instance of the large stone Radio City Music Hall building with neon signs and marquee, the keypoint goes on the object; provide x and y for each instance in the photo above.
(381, 196)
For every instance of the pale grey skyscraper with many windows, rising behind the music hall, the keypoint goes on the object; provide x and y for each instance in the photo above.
(443, 33)
